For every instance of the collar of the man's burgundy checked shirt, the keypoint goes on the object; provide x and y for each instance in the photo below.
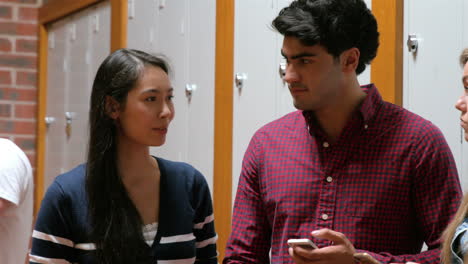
(367, 109)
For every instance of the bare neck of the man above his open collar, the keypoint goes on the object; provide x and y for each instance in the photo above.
(334, 117)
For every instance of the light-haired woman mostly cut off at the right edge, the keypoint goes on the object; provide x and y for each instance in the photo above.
(455, 237)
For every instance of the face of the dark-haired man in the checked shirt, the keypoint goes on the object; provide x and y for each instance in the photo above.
(313, 75)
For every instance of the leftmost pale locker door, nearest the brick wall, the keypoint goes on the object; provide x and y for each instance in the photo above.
(55, 135)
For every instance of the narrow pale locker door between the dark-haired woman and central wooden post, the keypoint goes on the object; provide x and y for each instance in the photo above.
(201, 39)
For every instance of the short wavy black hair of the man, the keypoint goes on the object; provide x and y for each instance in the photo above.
(337, 25)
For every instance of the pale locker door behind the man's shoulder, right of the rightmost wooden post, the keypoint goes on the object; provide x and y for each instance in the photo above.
(431, 70)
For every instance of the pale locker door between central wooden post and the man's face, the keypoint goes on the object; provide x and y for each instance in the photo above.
(256, 72)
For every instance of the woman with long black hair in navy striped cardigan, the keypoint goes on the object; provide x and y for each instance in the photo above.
(123, 205)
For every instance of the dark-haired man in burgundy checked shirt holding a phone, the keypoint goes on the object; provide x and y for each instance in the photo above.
(349, 171)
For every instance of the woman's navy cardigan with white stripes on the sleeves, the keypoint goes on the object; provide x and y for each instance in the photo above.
(185, 232)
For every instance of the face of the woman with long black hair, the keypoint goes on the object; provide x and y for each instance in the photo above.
(148, 111)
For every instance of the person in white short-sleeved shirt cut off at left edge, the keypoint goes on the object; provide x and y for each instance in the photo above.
(16, 203)
